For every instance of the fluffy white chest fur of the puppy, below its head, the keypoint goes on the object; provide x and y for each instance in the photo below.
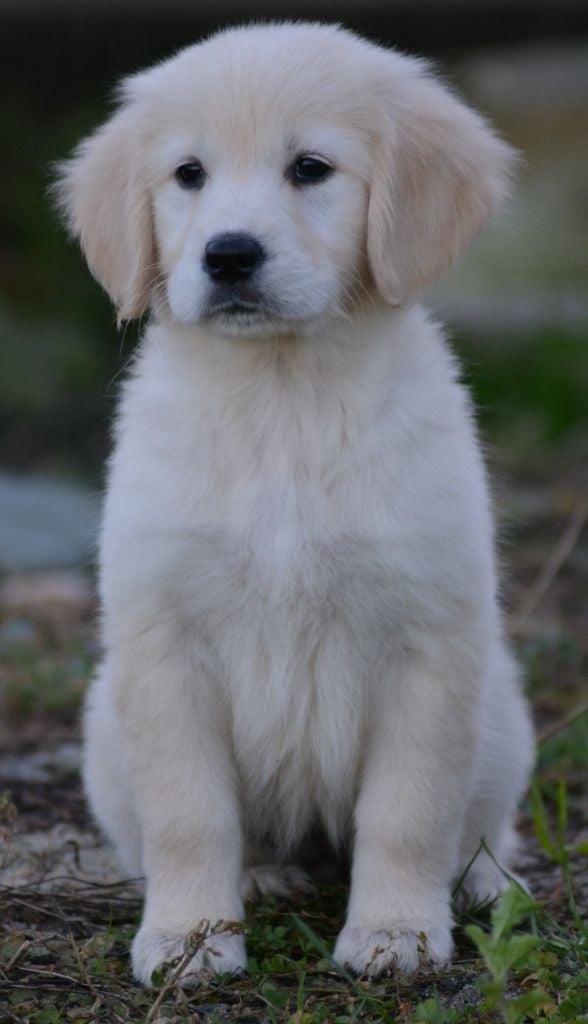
(285, 525)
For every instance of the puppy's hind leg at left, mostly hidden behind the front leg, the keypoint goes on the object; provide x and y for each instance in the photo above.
(106, 775)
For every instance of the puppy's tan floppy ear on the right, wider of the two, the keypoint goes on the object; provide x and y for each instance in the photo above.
(439, 174)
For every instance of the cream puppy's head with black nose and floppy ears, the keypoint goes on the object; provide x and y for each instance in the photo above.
(276, 176)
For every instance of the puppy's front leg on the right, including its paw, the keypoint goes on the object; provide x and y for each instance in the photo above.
(418, 775)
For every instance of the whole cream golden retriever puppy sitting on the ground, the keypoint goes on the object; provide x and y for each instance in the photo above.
(301, 616)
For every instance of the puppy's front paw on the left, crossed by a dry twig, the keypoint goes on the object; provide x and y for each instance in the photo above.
(200, 955)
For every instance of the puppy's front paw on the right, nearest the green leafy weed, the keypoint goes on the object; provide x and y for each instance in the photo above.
(374, 953)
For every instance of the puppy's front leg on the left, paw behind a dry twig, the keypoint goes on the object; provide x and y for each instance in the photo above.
(185, 789)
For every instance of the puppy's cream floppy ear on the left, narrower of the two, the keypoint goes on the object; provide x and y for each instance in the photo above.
(106, 203)
